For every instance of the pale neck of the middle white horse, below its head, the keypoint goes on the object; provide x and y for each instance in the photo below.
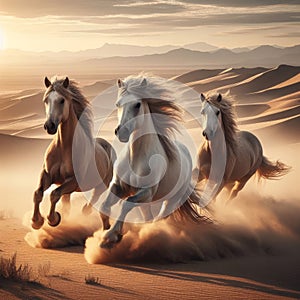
(144, 138)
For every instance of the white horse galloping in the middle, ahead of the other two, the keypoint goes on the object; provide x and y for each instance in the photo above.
(153, 172)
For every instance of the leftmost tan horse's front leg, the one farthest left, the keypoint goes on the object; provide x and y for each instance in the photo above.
(37, 220)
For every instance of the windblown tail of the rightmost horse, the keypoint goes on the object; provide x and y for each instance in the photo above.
(272, 170)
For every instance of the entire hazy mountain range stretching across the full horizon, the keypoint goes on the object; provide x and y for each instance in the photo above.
(196, 55)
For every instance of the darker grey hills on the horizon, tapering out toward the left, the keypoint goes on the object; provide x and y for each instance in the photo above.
(263, 56)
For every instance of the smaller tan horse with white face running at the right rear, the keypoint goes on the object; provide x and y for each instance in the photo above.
(244, 153)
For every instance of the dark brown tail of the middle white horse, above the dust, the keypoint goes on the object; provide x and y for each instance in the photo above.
(191, 211)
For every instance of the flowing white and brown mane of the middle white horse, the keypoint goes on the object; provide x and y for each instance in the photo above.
(165, 113)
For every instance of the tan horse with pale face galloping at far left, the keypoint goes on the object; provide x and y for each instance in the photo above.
(70, 119)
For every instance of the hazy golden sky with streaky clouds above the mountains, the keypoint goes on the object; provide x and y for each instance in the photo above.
(81, 24)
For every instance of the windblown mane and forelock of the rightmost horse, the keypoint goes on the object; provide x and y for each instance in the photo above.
(227, 108)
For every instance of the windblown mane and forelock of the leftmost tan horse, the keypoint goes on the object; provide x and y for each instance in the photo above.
(81, 105)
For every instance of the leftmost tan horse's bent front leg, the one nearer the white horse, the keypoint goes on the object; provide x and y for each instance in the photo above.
(67, 187)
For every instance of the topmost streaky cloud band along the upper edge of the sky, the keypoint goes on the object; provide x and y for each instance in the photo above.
(36, 8)
